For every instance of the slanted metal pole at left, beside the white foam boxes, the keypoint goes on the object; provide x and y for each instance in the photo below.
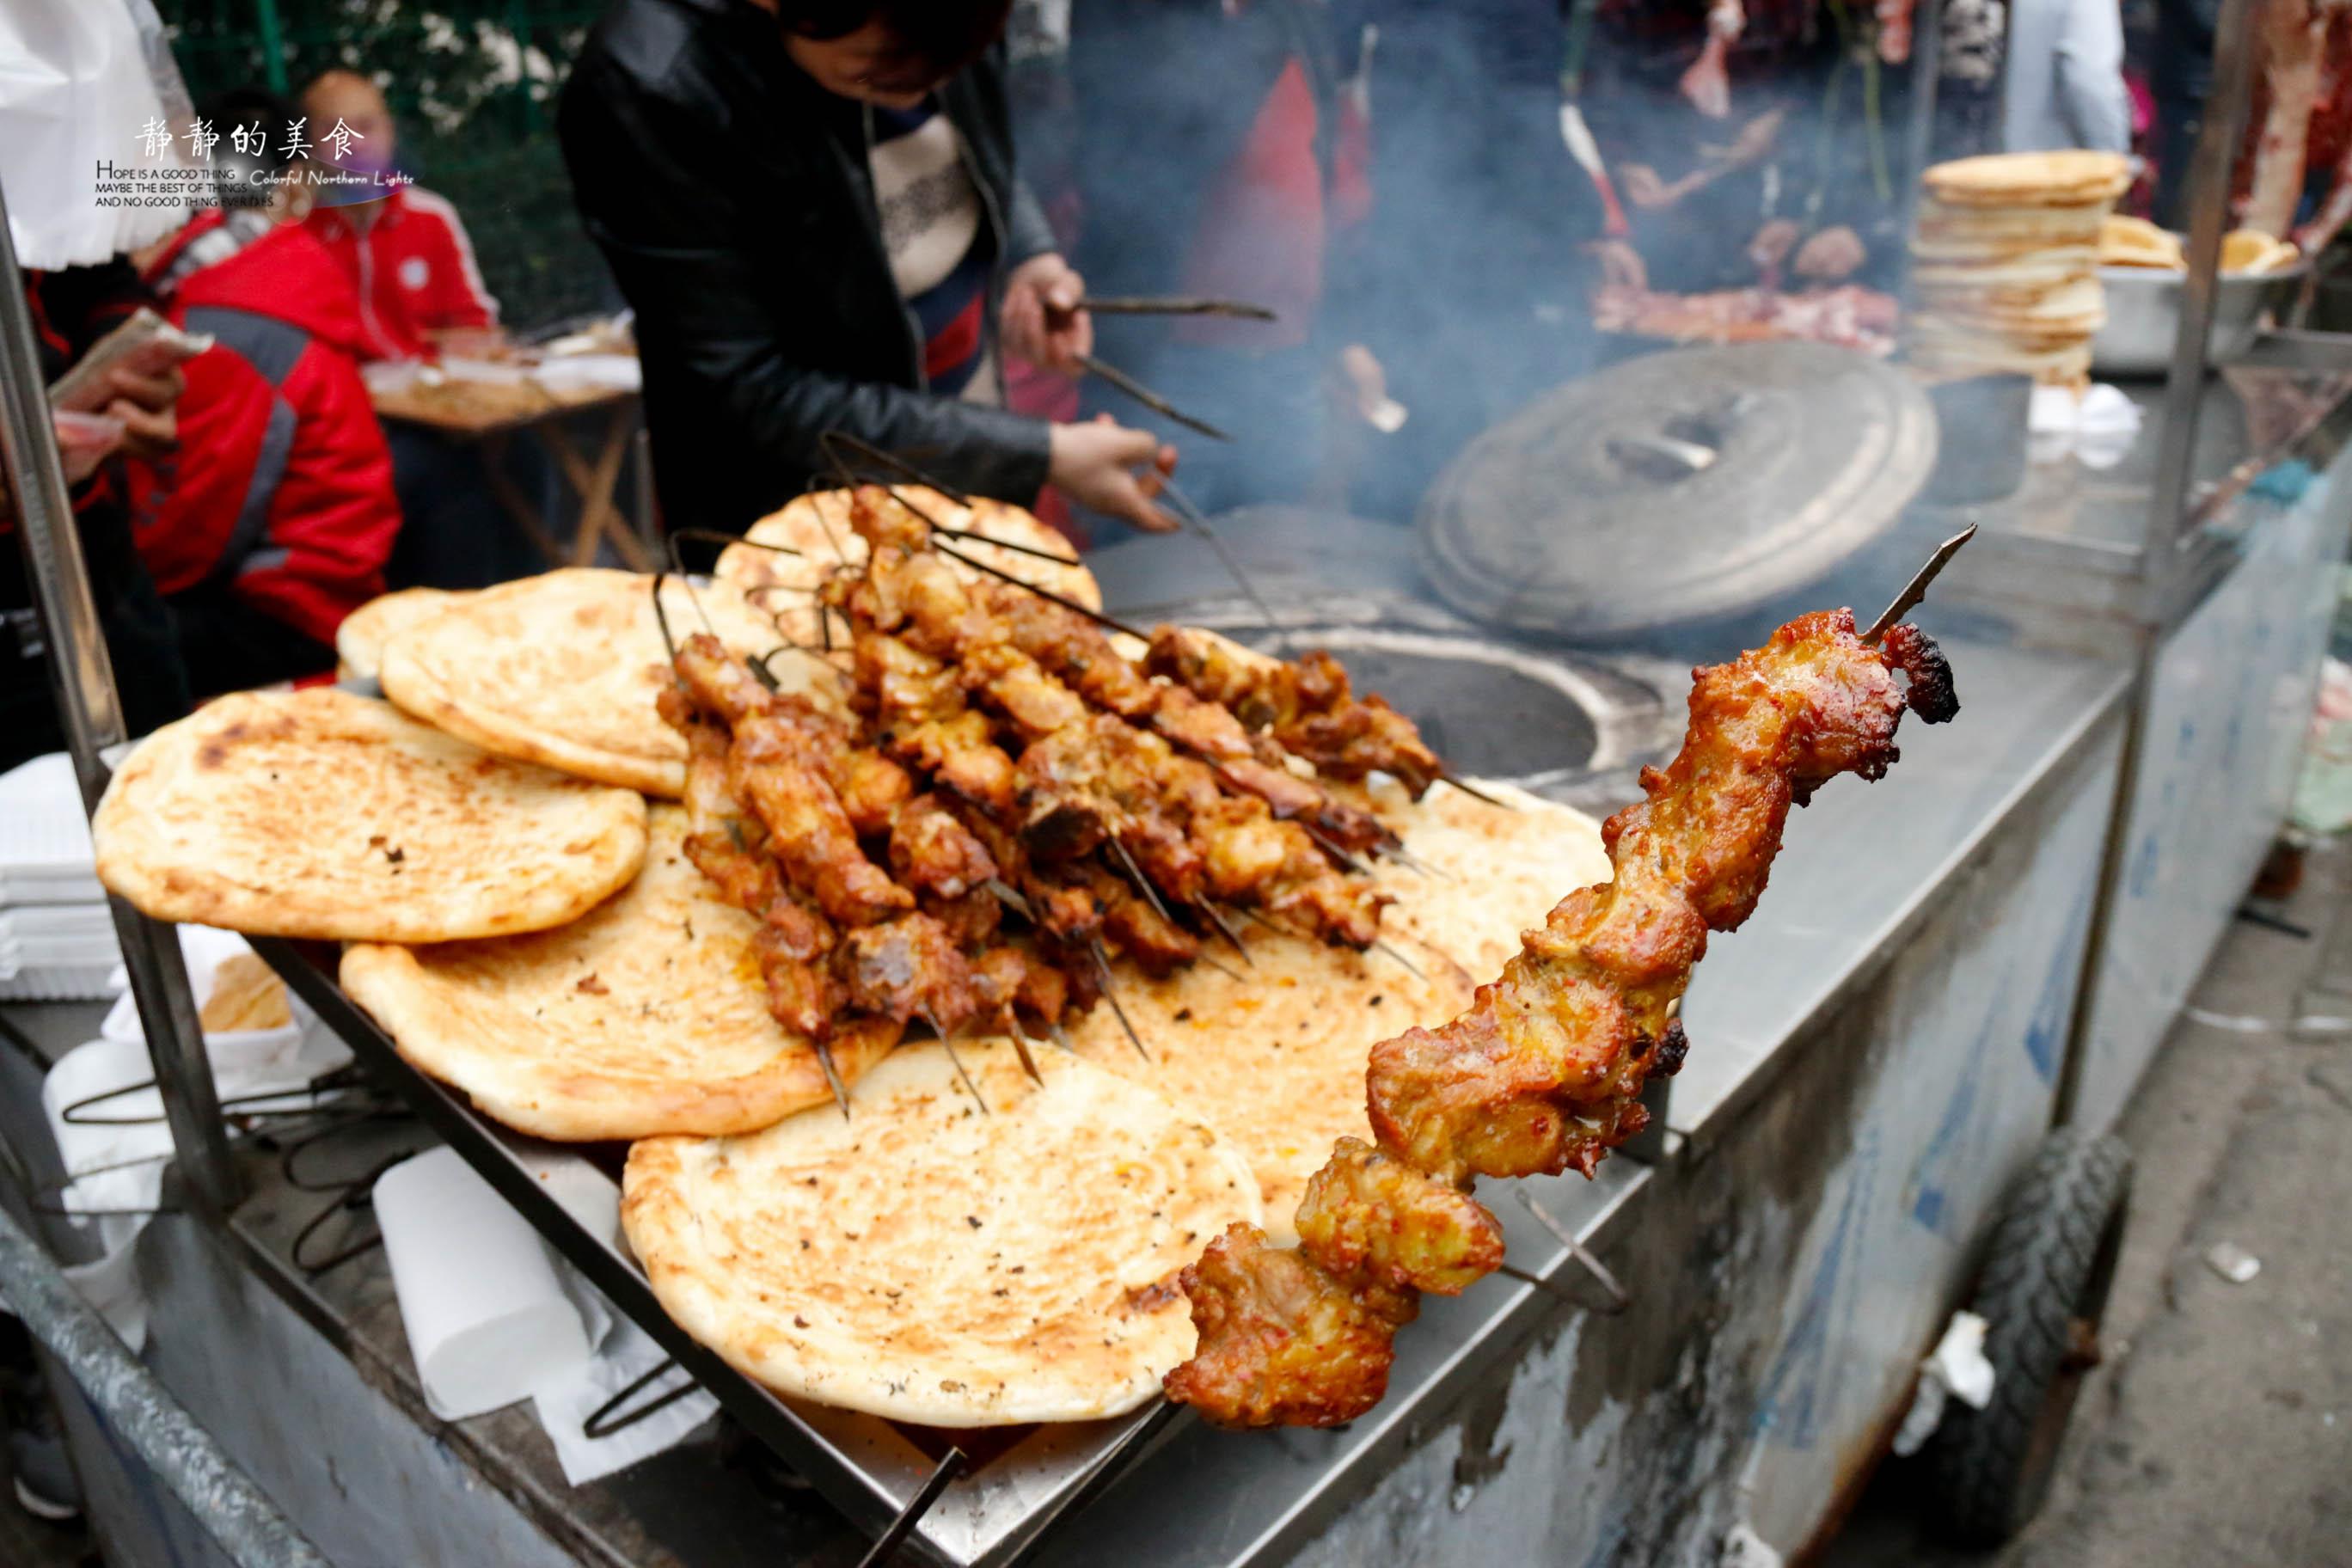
(93, 716)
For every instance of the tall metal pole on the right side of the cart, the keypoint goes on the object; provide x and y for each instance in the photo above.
(2167, 500)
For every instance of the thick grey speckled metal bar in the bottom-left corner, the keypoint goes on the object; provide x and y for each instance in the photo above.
(222, 1499)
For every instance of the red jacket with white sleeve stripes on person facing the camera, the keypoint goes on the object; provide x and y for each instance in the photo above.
(413, 267)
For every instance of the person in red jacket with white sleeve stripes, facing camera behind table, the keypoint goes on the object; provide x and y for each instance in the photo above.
(408, 253)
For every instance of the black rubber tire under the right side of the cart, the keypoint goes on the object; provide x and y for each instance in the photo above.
(2045, 1285)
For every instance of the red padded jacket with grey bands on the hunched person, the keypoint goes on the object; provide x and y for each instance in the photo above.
(283, 485)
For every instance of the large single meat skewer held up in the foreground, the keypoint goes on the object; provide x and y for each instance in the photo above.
(1546, 1068)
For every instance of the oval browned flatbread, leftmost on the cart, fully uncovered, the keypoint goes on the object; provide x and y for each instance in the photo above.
(328, 815)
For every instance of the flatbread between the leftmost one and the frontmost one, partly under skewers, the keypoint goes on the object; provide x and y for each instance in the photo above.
(641, 1019)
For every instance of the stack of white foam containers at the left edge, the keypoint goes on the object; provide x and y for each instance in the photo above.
(58, 937)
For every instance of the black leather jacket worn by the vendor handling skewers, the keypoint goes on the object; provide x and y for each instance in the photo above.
(735, 203)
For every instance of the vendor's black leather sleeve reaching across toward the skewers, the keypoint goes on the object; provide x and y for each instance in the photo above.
(664, 222)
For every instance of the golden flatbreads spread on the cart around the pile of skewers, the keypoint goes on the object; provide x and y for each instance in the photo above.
(530, 932)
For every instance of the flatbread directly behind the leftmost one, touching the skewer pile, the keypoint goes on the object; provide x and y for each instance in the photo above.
(563, 671)
